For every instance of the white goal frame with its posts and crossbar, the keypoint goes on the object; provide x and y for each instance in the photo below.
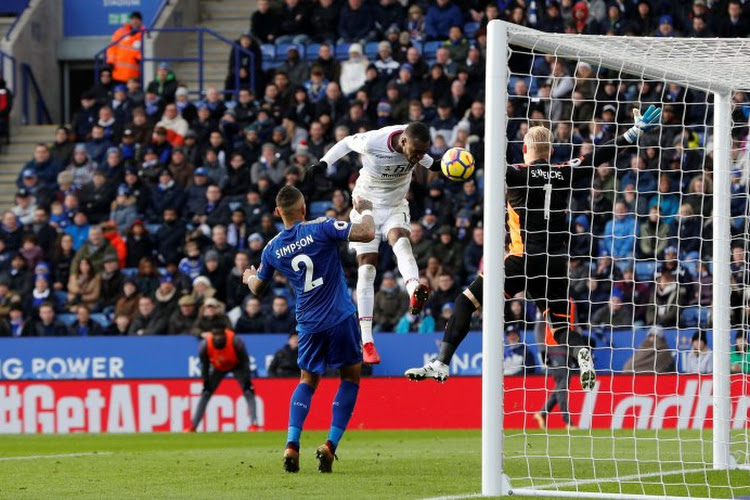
(715, 66)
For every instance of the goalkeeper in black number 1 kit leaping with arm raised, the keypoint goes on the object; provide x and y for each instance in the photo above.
(536, 261)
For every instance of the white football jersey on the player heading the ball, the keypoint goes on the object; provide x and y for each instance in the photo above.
(385, 175)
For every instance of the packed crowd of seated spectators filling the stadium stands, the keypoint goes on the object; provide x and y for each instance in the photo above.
(141, 215)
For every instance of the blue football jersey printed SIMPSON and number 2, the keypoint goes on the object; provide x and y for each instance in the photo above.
(308, 255)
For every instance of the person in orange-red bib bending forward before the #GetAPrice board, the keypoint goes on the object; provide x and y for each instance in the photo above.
(221, 352)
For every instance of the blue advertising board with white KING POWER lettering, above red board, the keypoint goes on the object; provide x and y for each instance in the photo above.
(177, 356)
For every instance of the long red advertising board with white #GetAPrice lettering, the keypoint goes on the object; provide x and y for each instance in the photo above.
(165, 405)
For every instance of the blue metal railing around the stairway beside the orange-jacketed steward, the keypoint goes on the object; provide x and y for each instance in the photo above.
(100, 57)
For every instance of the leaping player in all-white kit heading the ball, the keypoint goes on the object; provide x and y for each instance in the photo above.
(388, 157)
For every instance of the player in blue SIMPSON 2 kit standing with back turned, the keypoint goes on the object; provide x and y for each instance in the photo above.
(307, 254)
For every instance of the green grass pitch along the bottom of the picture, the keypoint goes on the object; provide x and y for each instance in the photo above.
(374, 464)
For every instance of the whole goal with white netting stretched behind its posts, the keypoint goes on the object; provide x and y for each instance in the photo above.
(658, 270)
